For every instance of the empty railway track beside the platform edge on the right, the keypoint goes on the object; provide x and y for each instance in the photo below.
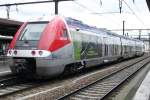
(101, 88)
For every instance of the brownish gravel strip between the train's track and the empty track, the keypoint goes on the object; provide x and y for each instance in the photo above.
(56, 88)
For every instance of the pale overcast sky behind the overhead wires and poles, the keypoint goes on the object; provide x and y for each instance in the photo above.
(136, 15)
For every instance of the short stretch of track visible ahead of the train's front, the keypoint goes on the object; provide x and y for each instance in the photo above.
(12, 84)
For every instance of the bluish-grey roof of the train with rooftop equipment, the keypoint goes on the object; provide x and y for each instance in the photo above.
(82, 26)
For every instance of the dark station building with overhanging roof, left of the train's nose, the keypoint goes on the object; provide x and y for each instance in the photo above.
(7, 30)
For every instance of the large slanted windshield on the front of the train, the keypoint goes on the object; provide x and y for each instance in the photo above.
(33, 31)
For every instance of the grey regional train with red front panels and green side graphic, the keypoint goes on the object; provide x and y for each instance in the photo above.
(48, 48)
